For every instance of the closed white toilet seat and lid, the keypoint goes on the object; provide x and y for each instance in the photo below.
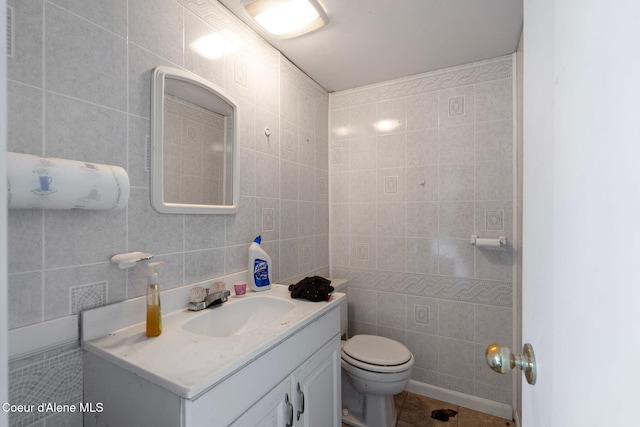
(377, 354)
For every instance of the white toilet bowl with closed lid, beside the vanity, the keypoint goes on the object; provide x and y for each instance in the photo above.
(374, 368)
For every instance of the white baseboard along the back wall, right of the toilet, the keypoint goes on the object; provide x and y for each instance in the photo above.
(461, 399)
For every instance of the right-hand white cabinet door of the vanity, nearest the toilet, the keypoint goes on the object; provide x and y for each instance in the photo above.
(316, 388)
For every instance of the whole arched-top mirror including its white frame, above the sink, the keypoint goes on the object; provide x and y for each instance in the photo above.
(193, 145)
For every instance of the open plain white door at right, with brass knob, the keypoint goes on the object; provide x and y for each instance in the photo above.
(581, 290)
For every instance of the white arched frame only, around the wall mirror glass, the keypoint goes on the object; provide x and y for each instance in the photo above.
(159, 75)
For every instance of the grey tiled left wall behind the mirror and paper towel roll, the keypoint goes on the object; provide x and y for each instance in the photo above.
(79, 88)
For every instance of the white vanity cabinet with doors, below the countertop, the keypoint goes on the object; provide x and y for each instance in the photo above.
(296, 379)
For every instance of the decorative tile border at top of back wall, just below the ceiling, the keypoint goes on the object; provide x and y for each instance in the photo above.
(428, 82)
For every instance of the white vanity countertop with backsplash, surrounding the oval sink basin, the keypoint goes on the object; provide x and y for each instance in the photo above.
(187, 363)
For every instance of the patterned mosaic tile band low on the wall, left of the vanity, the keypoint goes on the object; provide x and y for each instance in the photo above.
(57, 379)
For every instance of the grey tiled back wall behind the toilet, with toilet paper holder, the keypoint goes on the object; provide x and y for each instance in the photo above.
(417, 166)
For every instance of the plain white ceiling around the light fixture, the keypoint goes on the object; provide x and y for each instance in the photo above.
(370, 41)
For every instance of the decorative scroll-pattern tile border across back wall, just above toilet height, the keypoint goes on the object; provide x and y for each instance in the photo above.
(487, 292)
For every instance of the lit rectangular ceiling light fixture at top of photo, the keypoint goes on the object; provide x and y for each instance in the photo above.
(287, 18)
